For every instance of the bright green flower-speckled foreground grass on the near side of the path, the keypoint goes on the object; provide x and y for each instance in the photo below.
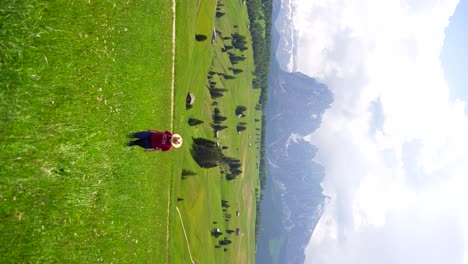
(76, 77)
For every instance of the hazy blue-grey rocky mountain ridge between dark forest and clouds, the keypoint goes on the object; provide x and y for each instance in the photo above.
(292, 200)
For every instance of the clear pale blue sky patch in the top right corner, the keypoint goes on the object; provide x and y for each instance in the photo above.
(454, 54)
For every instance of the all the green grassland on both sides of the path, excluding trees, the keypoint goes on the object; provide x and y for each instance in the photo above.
(76, 77)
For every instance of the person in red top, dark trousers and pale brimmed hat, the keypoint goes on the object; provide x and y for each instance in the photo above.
(153, 140)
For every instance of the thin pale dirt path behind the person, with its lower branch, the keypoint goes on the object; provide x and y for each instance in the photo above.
(172, 124)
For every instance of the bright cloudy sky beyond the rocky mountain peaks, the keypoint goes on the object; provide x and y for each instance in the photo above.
(394, 142)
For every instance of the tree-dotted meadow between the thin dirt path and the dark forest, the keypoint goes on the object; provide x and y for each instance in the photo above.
(199, 197)
